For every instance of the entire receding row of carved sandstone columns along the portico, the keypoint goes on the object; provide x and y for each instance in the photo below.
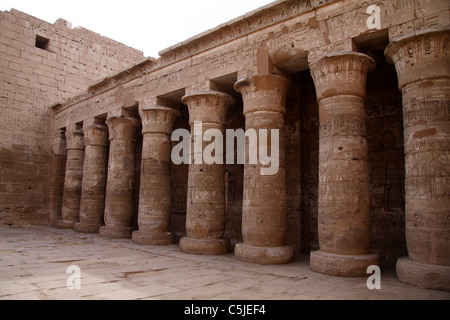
(344, 184)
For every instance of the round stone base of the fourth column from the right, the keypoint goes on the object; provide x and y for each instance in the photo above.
(204, 247)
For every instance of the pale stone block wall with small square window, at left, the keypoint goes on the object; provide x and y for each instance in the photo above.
(42, 63)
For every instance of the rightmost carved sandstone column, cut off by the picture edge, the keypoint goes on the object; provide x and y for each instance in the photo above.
(423, 69)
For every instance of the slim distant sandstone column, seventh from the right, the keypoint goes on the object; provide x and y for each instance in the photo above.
(92, 204)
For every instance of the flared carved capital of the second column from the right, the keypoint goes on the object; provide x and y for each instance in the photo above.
(341, 74)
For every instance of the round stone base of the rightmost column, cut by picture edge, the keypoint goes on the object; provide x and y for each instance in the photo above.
(428, 276)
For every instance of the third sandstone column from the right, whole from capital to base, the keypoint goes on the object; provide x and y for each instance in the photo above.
(264, 216)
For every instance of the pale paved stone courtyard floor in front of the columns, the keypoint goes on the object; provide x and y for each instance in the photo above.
(34, 262)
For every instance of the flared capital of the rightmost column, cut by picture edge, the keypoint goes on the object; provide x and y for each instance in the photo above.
(420, 56)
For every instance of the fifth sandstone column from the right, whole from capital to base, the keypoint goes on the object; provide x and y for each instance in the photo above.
(155, 206)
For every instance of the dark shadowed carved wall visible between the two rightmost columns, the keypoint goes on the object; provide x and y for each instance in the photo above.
(386, 158)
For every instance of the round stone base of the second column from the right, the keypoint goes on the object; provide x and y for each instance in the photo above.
(342, 264)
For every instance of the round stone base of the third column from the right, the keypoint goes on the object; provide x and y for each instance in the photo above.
(264, 255)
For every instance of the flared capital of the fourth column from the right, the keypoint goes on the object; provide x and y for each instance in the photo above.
(207, 106)
